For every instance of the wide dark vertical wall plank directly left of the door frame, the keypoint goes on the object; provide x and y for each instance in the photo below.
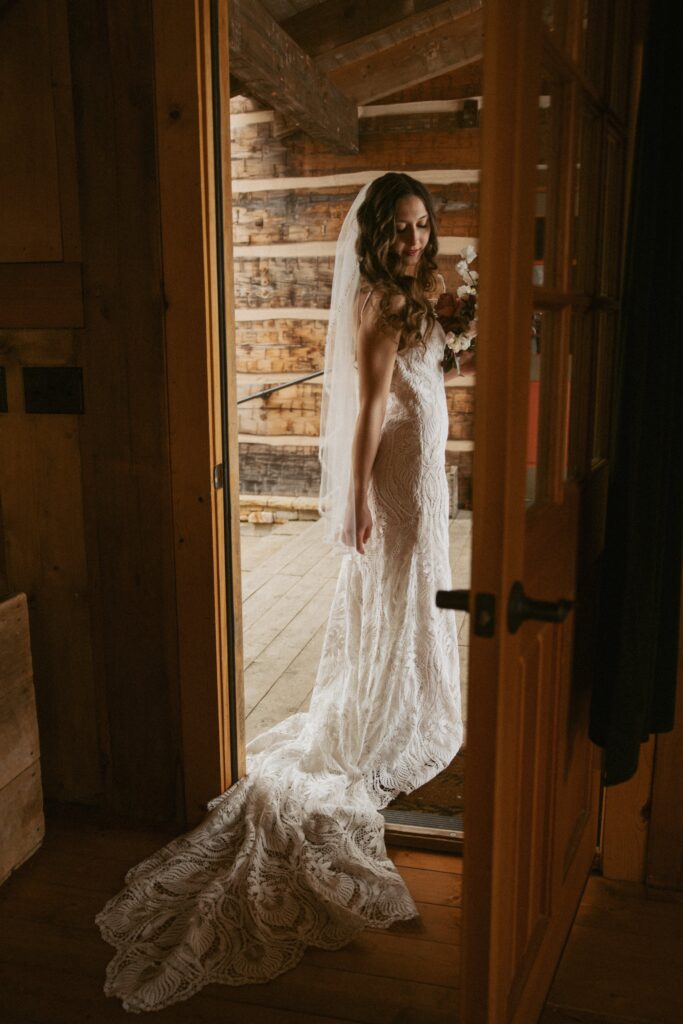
(124, 437)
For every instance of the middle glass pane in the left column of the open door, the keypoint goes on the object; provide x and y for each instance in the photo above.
(549, 179)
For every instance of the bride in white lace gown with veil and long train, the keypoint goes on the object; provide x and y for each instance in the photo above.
(293, 855)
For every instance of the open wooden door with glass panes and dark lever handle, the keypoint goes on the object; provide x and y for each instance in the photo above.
(552, 196)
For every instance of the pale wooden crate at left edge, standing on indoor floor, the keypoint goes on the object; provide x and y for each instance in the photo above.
(22, 820)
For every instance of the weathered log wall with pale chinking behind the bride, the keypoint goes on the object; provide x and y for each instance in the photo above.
(290, 196)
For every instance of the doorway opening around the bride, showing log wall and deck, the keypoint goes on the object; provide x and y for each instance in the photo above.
(284, 232)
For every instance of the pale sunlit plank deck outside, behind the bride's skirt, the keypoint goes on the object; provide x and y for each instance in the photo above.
(288, 581)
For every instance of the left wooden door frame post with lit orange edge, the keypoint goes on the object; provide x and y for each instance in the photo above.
(206, 523)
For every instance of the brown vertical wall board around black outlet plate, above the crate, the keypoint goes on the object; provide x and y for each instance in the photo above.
(47, 558)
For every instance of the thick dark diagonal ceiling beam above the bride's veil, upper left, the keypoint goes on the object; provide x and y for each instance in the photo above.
(273, 68)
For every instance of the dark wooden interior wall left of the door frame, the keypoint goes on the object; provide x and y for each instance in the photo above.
(86, 529)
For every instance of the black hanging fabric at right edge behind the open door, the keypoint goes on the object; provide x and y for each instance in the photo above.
(635, 681)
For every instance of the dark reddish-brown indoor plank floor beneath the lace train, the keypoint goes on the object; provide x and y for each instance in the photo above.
(623, 964)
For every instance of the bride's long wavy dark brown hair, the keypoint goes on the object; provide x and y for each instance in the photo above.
(381, 267)
